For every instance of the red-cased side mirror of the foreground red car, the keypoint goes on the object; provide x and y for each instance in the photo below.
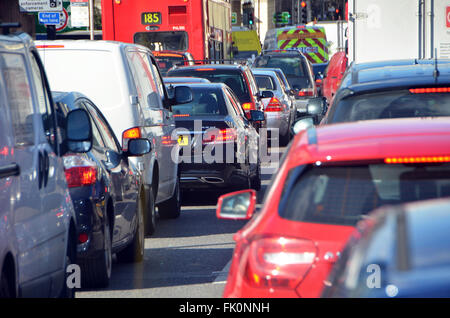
(239, 205)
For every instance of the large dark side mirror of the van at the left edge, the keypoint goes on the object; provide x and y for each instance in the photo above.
(78, 131)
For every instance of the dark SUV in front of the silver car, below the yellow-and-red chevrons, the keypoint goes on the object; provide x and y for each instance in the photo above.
(296, 67)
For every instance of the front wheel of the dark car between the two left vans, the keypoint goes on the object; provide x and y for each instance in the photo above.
(134, 252)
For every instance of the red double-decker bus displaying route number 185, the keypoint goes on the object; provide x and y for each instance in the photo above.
(201, 27)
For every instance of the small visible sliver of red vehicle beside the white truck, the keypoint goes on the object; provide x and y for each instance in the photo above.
(333, 75)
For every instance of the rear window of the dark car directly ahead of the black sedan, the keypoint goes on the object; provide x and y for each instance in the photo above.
(233, 78)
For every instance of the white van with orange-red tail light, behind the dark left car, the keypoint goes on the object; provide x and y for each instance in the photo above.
(124, 81)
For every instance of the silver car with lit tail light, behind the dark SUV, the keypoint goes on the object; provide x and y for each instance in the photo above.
(279, 109)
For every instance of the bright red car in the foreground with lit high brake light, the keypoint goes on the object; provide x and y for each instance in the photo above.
(329, 179)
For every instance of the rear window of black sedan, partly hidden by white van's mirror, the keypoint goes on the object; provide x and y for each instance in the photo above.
(205, 102)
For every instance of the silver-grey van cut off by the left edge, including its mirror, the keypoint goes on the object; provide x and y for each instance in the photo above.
(38, 224)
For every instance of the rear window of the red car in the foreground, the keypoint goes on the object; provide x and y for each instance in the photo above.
(341, 195)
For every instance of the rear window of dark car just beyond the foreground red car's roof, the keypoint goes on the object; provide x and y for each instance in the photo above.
(391, 104)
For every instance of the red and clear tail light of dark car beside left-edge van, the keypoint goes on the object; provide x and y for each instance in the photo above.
(79, 171)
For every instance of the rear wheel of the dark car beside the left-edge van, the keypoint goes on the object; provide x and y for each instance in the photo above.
(97, 272)
